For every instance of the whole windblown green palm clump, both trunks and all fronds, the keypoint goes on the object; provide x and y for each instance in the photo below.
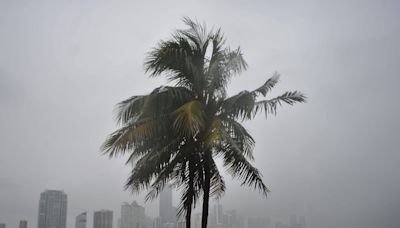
(173, 134)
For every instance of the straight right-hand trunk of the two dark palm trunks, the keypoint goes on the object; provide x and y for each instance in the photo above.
(206, 194)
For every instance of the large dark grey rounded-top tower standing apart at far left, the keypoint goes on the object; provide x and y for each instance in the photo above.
(52, 209)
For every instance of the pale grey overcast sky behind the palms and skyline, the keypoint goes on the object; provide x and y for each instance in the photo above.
(65, 64)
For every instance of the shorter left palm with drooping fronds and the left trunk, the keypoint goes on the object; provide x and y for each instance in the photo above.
(159, 154)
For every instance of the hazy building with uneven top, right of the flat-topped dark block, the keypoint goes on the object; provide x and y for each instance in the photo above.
(133, 215)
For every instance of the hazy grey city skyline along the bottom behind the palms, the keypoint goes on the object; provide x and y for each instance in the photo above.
(133, 215)
